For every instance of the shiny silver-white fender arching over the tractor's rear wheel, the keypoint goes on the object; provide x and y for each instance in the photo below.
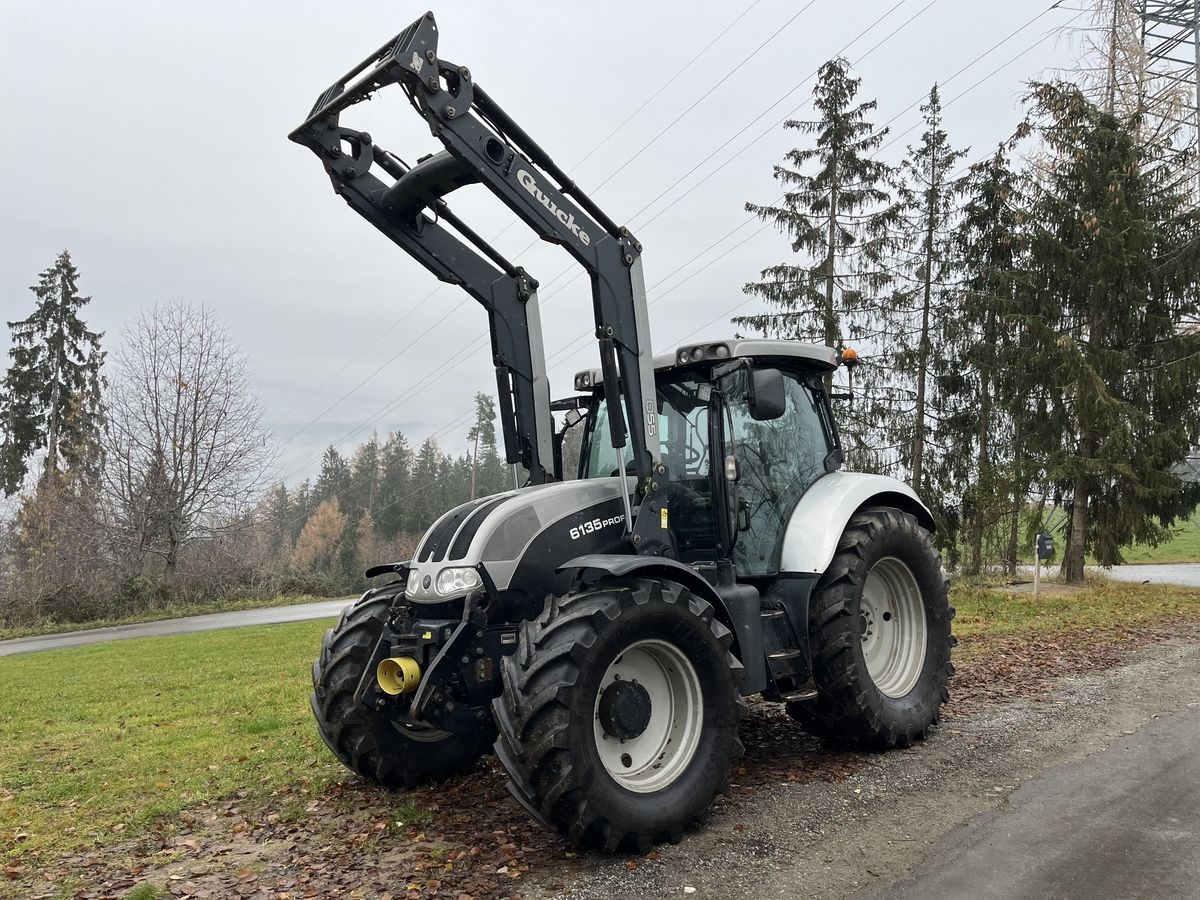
(820, 518)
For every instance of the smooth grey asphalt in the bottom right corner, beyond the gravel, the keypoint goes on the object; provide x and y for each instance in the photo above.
(1125, 823)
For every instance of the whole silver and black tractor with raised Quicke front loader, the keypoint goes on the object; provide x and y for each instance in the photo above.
(598, 629)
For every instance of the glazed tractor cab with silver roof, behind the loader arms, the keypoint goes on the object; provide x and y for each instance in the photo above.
(746, 429)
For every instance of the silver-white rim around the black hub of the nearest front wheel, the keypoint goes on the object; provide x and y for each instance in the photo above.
(657, 757)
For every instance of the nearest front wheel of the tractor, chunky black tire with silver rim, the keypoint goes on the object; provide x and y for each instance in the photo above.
(620, 712)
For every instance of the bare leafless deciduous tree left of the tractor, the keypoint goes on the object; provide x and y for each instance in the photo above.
(188, 451)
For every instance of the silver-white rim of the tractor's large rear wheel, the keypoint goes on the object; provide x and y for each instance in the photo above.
(892, 622)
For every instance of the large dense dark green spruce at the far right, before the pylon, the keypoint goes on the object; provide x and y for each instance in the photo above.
(1113, 262)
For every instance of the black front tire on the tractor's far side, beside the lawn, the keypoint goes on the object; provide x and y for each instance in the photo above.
(369, 743)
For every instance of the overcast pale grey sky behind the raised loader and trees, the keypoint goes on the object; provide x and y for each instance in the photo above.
(151, 140)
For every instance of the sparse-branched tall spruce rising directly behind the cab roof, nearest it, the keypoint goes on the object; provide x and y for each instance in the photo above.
(837, 214)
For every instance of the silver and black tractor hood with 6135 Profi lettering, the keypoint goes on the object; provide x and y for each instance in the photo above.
(519, 536)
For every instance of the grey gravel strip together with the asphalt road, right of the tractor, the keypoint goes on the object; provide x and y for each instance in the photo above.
(1093, 793)
